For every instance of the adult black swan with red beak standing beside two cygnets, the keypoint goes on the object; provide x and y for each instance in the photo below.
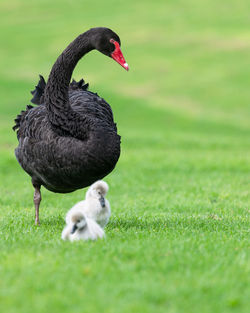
(69, 140)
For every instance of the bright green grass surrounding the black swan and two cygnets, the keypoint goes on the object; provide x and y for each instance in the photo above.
(178, 238)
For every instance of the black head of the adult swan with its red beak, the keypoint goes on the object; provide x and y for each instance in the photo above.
(108, 43)
